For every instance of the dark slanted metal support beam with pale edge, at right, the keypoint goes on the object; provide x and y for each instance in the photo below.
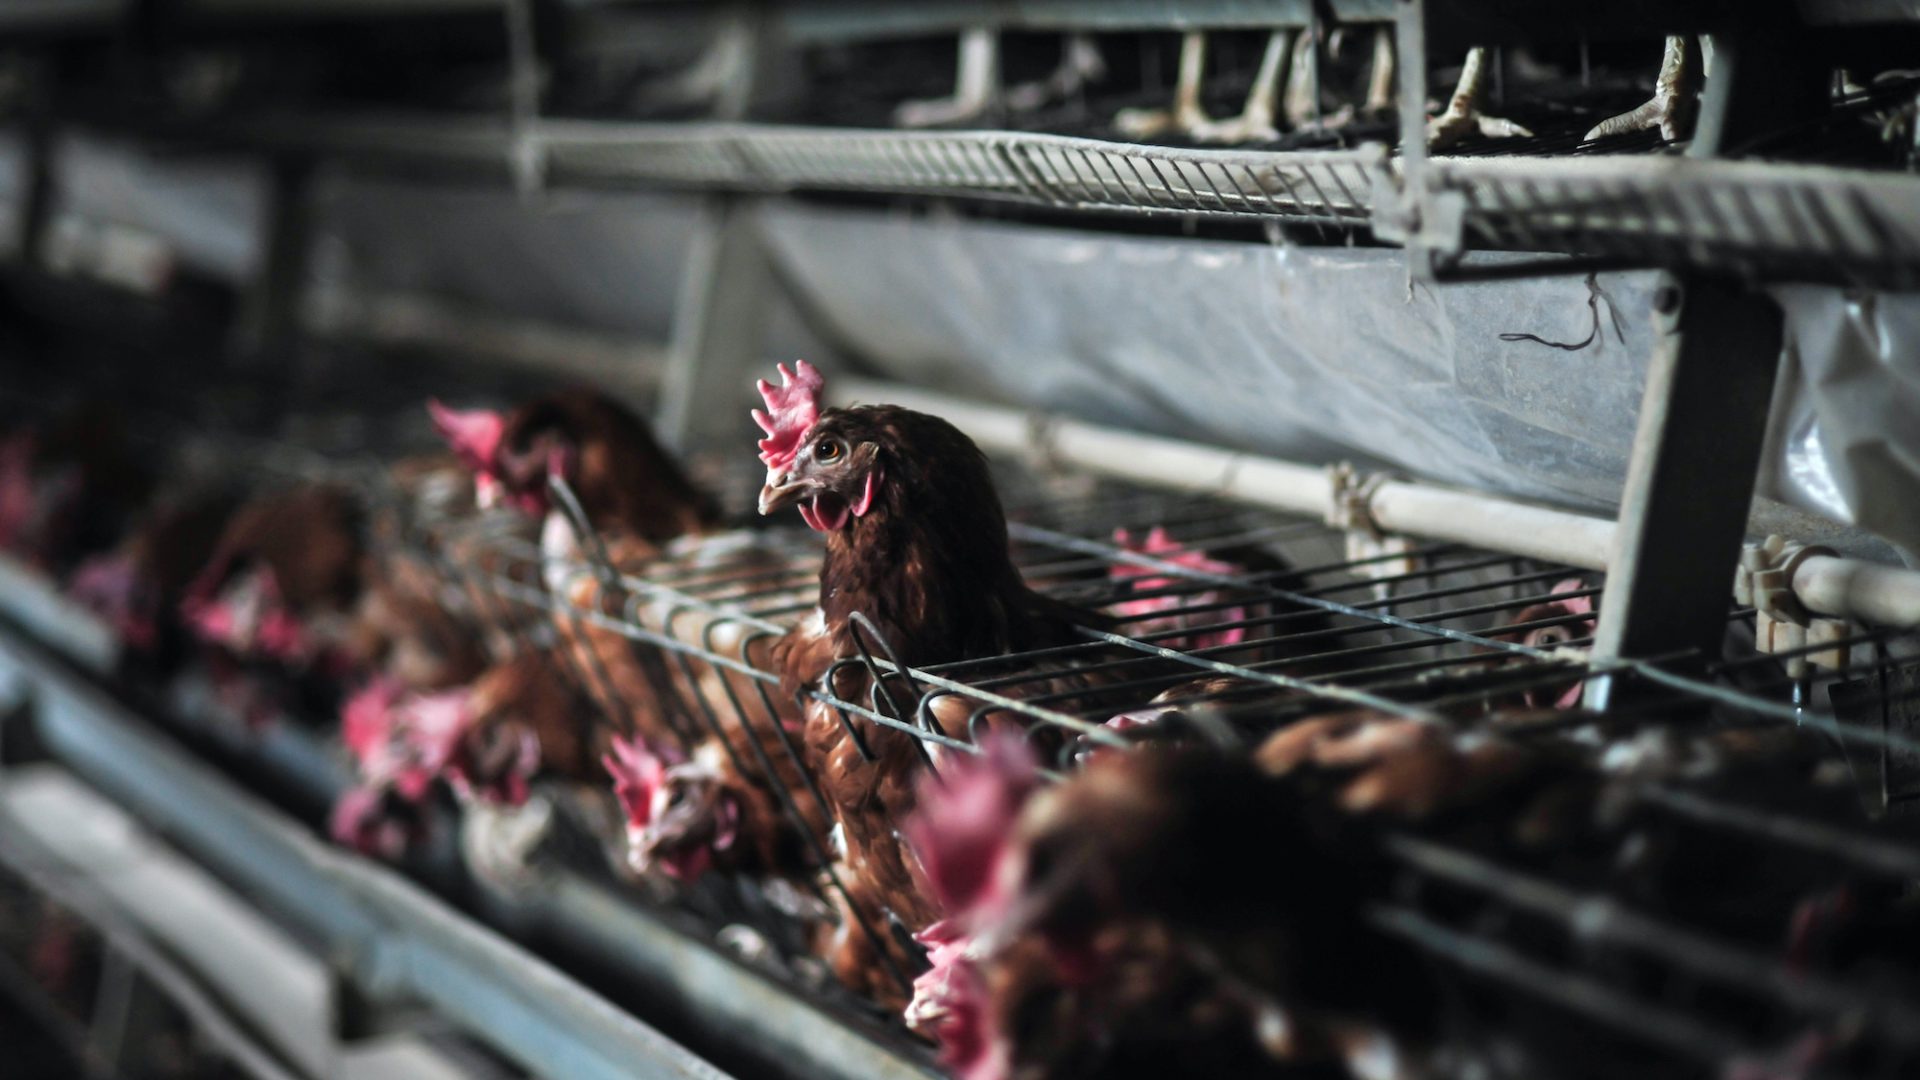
(1691, 478)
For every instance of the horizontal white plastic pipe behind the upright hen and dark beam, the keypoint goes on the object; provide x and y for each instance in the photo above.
(1846, 589)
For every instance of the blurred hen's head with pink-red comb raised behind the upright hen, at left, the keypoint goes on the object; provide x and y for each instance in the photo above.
(512, 458)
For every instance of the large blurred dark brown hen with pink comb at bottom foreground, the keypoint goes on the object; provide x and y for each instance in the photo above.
(1115, 925)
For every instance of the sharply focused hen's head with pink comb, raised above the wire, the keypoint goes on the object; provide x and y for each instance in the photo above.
(859, 464)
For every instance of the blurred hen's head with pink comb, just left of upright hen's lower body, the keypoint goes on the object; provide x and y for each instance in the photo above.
(679, 814)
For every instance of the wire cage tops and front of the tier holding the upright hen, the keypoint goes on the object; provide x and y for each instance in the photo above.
(1232, 624)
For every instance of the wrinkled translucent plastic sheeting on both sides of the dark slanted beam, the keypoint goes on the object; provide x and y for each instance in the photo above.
(1328, 353)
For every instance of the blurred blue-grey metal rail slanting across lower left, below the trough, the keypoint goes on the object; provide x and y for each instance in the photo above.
(387, 935)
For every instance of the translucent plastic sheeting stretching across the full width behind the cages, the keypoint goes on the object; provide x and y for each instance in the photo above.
(1310, 355)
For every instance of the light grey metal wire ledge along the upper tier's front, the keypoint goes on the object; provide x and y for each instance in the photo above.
(1752, 220)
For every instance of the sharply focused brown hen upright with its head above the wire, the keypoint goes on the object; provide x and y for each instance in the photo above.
(917, 570)
